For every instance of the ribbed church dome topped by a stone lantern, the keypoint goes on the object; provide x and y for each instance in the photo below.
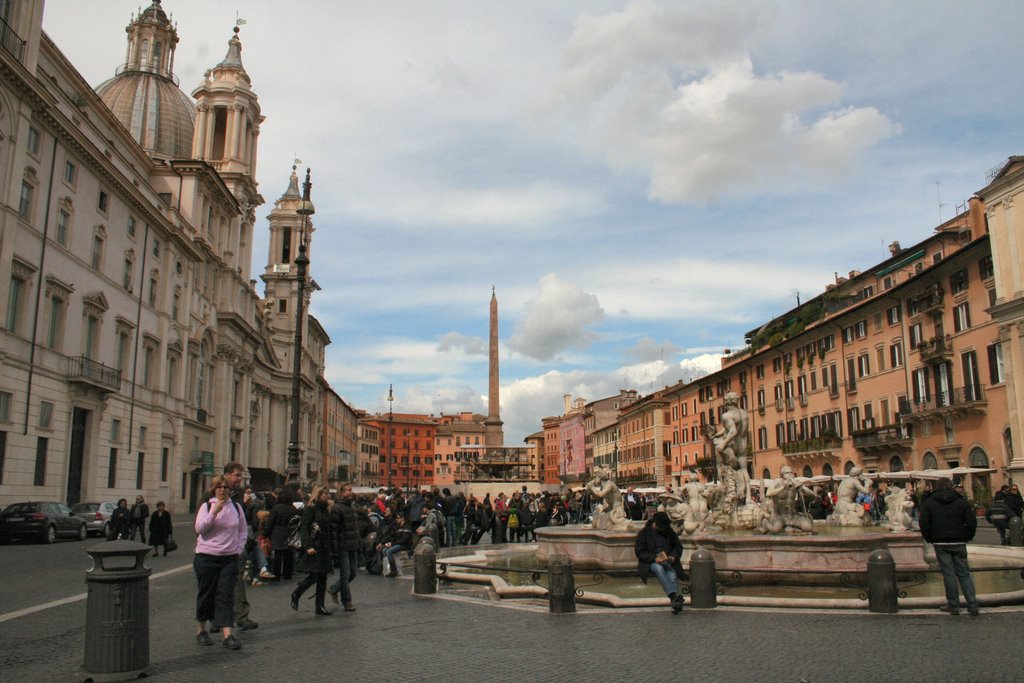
(145, 96)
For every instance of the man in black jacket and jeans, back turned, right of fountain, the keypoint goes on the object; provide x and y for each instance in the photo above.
(949, 524)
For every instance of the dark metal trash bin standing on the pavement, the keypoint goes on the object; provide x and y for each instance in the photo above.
(117, 616)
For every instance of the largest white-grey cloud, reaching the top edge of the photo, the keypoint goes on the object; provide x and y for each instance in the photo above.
(672, 93)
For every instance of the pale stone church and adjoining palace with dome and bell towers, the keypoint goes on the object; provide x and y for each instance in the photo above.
(137, 355)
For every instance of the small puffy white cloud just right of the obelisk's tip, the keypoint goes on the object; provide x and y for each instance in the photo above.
(559, 319)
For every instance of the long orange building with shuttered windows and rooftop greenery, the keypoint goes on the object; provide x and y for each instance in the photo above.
(893, 369)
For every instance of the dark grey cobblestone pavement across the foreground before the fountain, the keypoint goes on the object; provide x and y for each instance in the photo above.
(396, 635)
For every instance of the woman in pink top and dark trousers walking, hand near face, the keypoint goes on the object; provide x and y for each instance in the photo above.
(222, 533)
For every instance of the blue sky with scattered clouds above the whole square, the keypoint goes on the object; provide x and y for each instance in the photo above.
(642, 183)
